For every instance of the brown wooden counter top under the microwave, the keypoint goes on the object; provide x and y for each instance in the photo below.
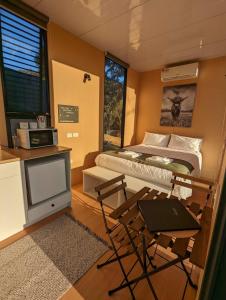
(24, 154)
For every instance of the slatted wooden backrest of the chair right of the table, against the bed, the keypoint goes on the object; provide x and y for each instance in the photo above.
(199, 184)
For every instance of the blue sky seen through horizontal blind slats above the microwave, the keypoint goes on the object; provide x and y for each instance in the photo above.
(20, 44)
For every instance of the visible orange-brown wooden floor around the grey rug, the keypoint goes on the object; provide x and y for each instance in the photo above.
(94, 285)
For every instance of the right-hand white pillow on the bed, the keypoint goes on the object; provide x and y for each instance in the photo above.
(185, 143)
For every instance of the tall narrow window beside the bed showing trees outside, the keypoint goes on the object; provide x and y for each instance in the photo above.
(114, 104)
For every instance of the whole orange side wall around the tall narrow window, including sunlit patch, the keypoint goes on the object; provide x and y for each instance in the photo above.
(69, 59)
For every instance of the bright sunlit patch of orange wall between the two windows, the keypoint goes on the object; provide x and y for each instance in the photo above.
(68, 88)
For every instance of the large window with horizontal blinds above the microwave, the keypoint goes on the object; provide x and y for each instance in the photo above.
(24, 66)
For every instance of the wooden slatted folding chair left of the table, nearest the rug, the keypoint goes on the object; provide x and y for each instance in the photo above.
(118, 236)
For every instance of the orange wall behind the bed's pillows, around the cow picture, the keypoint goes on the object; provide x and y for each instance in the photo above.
(208, 115)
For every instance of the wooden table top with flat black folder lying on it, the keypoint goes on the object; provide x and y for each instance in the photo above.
(168, 216)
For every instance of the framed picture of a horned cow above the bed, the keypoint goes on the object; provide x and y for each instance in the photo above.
(177, 105)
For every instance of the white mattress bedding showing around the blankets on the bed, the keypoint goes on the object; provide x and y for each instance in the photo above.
(150, 173)
